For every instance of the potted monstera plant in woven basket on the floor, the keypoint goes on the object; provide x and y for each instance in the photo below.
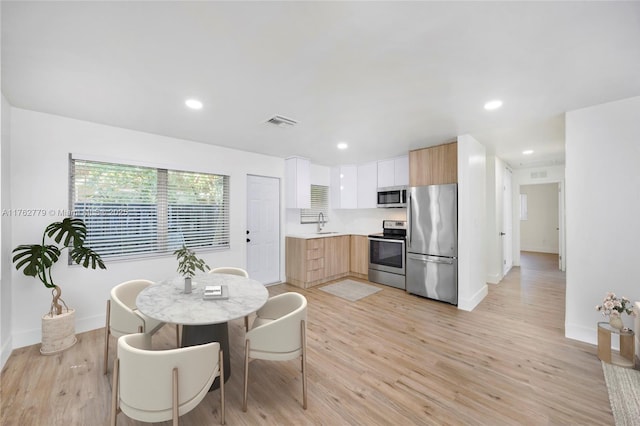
(37, 260)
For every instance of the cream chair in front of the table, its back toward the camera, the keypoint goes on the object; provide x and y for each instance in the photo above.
(154, 386)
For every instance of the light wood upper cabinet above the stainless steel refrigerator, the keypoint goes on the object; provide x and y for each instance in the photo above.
(434, 166)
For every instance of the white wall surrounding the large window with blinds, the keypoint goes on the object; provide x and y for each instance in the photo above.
(40, 145)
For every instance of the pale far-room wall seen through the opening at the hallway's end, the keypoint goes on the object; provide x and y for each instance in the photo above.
(539, 232)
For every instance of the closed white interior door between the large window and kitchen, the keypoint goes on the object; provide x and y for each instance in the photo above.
(263, 228)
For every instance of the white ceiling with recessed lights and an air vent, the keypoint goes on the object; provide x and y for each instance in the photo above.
(385, 77)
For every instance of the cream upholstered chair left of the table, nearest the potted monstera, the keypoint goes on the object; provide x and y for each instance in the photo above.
(124, 318)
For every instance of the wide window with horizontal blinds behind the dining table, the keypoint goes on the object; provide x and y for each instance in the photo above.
(134, 211)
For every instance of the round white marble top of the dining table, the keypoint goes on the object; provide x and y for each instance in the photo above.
(167, 302)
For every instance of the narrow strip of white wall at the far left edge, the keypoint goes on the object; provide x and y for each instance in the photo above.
(5, 235)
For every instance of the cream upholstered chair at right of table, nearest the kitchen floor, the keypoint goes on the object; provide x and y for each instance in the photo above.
(278, 334)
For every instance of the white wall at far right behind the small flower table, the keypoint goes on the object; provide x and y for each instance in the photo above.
(602, 211)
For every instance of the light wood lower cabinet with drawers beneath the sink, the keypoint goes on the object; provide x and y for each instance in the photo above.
(314, 261)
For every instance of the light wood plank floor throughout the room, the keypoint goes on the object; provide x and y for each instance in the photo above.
(390, 358)
